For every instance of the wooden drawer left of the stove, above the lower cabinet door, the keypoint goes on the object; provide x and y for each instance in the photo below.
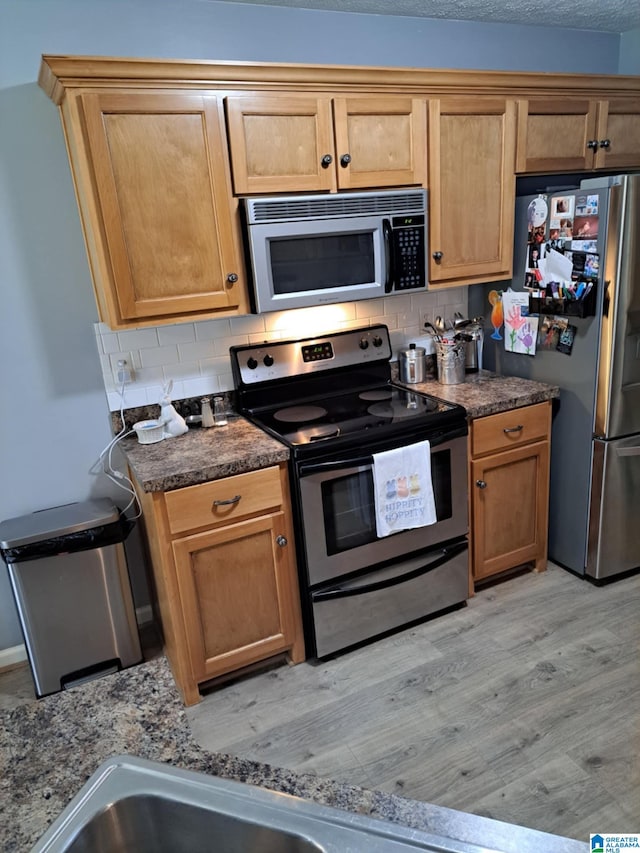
(239, 496)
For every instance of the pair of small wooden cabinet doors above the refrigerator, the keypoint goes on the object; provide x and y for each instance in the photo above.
(569, 134)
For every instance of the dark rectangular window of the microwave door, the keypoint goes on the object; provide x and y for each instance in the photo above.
(319, 262)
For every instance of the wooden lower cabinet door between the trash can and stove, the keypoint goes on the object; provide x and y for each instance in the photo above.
(236, 588)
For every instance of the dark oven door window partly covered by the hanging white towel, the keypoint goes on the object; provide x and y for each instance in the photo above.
(349, 511)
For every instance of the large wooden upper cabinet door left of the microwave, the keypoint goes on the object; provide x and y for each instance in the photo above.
(158, 216)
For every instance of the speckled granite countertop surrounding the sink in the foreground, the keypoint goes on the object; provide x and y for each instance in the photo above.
(50, 747)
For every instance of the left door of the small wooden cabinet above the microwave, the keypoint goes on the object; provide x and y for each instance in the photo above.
(281, 144)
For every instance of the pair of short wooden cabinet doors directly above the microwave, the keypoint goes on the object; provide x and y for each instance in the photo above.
(293, 143)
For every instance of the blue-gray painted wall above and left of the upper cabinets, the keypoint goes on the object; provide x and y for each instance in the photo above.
(54, 419)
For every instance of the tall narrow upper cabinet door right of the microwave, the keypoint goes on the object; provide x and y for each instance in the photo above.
(472, 189)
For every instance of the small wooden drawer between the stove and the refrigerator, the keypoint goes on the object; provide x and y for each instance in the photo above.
(510, 429)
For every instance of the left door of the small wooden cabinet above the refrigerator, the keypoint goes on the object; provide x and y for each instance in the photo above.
(556, 135)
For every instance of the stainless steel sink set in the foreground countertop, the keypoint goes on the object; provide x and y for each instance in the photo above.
(131, 804)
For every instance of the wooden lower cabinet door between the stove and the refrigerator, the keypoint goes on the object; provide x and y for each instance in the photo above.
(510, 498)
